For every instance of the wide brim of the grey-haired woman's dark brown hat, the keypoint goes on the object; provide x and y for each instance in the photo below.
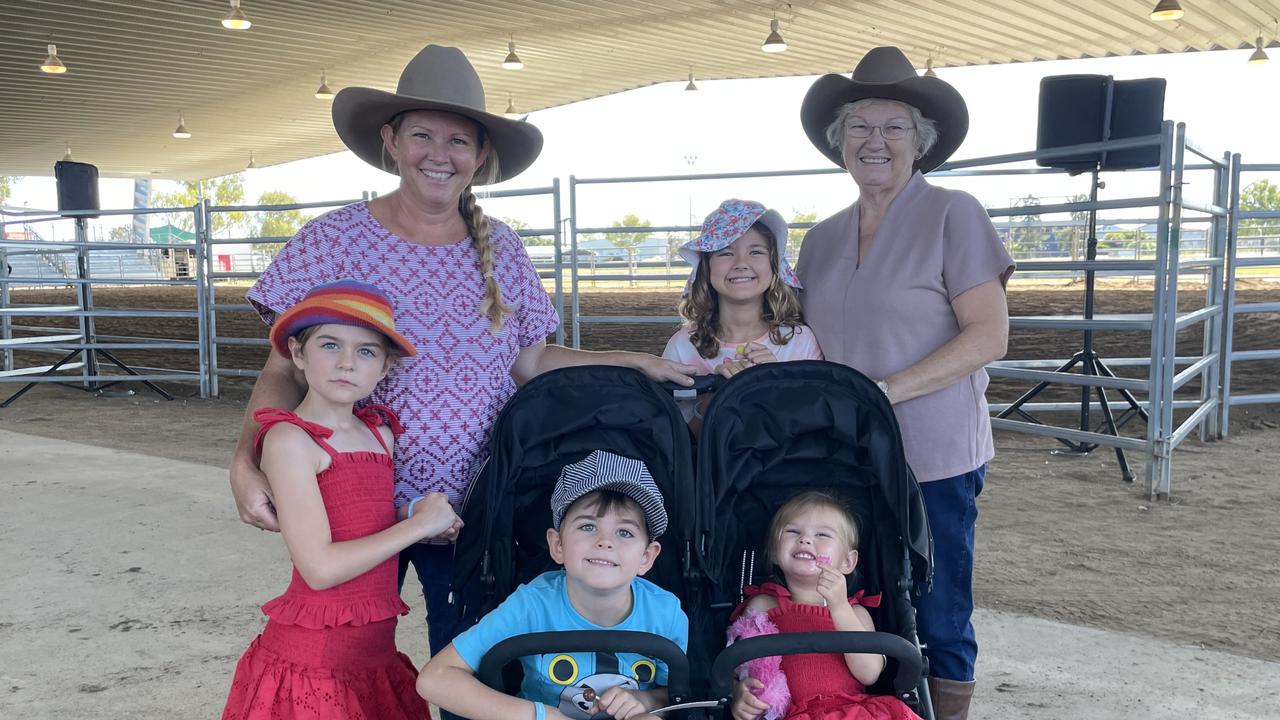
(932, 97)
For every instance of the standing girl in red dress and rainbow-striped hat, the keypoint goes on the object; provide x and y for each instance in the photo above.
(328, 650)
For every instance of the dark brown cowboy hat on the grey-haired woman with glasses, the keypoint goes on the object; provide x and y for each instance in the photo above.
(885, 72)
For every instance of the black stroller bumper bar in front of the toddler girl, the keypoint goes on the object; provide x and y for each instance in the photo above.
(798, 644)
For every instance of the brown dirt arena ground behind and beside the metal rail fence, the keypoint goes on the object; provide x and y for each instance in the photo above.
(1060, 539)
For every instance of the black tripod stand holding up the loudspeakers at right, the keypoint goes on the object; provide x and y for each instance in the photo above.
(1091, 364)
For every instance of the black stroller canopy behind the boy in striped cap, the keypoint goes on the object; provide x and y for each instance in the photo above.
(556, 420)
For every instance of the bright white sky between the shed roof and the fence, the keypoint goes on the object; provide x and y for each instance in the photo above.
(753, 125)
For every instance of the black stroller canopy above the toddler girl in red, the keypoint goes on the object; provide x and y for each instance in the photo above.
(778, 430)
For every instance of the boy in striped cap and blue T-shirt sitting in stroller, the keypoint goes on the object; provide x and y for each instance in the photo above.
(607, 516)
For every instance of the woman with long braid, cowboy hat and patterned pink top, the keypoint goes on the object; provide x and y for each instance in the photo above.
(461, 284)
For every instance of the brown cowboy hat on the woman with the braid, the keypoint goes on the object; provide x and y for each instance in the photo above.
(437, 79)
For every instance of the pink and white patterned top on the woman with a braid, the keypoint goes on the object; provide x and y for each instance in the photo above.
(449, 397)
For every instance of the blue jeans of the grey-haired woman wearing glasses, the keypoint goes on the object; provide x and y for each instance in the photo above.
(944, 613)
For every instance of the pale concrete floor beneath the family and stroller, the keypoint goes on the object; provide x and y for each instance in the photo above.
(131, 589)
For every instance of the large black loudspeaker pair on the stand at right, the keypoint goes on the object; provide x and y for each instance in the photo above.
(1078, 110)
